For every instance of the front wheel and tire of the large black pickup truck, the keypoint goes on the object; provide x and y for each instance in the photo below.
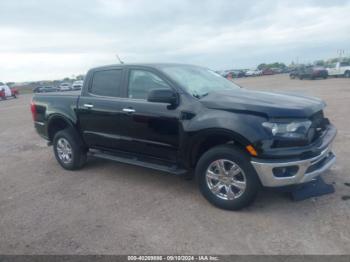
(226, 178)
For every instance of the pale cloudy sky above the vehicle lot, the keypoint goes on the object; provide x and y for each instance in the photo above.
(47, 39)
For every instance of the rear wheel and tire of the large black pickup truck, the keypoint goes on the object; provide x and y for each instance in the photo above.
(69, 150)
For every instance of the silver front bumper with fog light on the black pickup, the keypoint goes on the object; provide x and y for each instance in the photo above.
(278, 173)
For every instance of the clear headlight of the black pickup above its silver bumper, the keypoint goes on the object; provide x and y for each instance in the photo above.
(295, 129)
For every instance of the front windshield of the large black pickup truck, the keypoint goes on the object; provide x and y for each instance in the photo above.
(198, 81)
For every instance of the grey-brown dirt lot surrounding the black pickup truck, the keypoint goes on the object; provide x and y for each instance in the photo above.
(111, 208)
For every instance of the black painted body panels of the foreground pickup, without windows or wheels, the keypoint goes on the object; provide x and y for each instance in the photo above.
(176, 134)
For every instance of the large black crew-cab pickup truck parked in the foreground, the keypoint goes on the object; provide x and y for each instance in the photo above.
(186, 119)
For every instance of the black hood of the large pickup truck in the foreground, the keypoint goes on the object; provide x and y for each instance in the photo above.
(268, 104)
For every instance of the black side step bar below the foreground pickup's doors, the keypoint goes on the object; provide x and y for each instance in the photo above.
(134, 160)
